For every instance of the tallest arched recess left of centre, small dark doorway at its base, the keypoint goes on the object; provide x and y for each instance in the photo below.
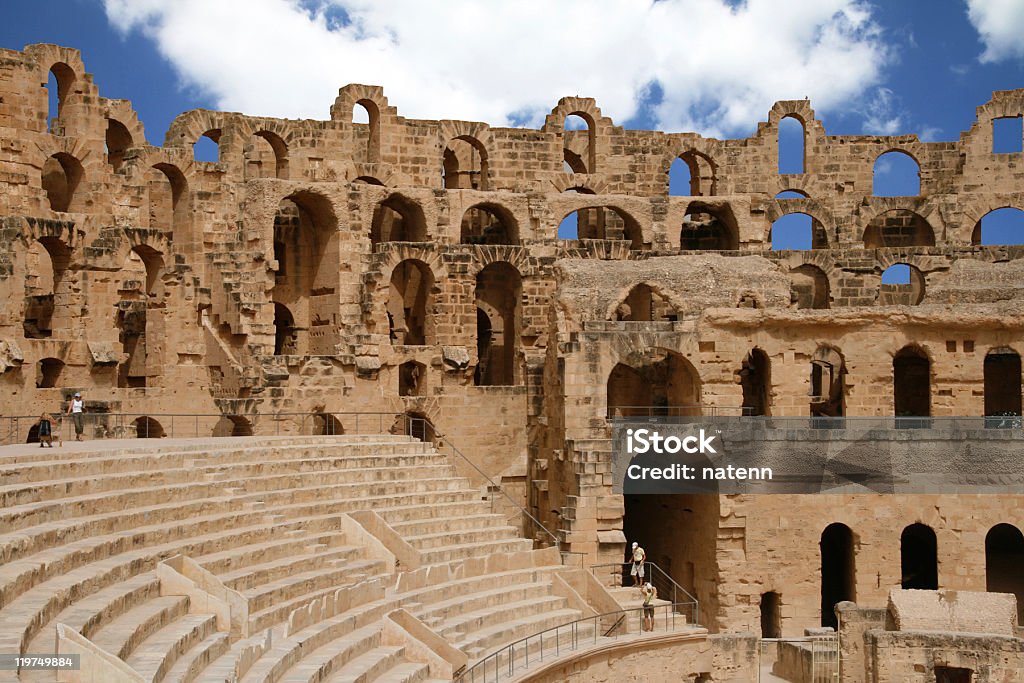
(308, 279)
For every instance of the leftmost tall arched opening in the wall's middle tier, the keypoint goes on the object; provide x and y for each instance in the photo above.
(47, 262)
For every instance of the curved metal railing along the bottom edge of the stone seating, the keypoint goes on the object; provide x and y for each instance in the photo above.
(517, 657)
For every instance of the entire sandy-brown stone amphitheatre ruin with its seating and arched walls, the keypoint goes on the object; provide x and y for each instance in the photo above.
(371, 308)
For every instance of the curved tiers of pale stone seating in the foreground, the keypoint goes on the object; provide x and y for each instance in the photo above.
(84, 531)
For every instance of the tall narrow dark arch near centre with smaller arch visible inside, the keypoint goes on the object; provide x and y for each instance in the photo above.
(499, 291)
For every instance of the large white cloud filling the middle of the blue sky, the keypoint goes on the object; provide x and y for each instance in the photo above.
(720, 67)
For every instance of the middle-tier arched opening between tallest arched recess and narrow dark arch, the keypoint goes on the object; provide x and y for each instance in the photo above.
(409, 305)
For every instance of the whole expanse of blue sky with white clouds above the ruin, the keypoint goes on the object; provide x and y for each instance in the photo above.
(714, 67)
